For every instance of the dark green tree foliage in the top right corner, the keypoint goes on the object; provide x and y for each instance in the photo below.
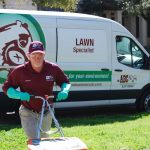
(137, 7)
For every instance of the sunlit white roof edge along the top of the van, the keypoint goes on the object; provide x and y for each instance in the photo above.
(69, 15)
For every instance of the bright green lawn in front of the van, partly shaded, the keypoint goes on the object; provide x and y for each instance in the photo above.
(98, 132)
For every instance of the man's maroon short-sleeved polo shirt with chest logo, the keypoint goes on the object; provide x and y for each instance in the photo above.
(38, 84)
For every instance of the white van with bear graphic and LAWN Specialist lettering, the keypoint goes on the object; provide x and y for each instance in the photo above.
(105, 63)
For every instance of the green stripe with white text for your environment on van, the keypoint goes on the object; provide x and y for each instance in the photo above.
(89, 76)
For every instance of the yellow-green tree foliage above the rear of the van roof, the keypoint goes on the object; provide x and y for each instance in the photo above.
(66, 5)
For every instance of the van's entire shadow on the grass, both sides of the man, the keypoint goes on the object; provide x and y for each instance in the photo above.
(81, 117)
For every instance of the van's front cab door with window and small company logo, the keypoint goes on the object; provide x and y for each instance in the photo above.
(129, 72)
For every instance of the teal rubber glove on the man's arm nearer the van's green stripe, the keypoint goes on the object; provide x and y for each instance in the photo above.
(63, 94)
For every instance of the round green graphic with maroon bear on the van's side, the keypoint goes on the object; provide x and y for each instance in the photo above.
(16, 33)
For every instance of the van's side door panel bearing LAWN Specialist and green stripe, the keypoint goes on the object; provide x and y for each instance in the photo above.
(84, 55)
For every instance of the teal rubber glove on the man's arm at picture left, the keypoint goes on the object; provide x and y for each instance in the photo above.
(13, 93)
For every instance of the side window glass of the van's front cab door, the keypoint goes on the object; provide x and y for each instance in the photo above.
(128, 53)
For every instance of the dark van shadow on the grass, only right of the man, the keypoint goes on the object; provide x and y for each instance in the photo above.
(97, 116)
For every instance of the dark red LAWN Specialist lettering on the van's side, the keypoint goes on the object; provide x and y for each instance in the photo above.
(84, 45)
